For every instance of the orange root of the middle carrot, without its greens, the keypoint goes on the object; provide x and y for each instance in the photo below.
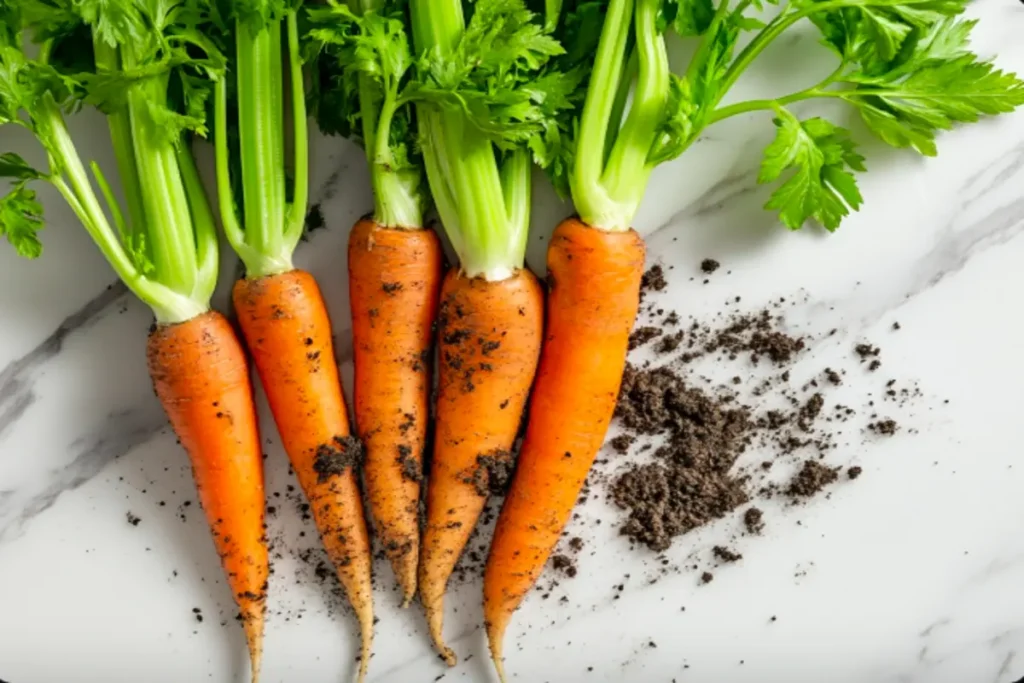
(395, 278)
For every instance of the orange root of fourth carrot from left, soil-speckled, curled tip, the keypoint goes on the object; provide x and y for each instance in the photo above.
(490, 343)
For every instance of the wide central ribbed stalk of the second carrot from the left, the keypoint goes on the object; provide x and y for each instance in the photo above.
(262, 134)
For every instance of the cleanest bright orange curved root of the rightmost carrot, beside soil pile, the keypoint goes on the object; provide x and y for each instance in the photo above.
(592, 306)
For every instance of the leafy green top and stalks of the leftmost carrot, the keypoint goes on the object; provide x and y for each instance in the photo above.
(148, 68)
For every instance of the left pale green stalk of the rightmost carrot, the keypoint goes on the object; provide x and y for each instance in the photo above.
(589, 194)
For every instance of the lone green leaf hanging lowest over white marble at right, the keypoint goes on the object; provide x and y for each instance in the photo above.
(821, 187)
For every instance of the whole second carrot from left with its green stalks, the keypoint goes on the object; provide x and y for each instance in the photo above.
(281, 309)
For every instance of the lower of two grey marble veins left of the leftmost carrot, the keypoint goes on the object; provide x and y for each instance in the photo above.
(117, 436)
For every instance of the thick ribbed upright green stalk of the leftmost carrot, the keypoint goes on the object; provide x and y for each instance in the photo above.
(168, 225)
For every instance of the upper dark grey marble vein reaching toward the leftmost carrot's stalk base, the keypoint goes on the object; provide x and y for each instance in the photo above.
(17, 395)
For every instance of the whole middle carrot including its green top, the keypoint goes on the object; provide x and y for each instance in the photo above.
(395, 265)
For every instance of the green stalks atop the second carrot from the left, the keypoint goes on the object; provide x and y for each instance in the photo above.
(263, 208)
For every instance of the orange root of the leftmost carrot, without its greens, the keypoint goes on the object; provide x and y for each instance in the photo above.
(201, 377)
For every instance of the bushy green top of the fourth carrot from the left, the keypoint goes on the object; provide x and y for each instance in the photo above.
(487, 102)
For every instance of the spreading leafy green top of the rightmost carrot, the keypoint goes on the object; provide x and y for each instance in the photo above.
(905, 65)
